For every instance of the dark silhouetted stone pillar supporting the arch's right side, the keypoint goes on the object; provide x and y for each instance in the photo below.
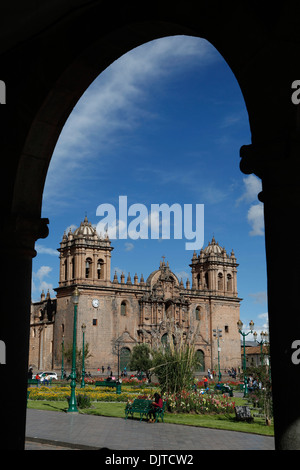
(279, 167)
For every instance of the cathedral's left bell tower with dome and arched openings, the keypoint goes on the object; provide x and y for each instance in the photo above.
(85, 257)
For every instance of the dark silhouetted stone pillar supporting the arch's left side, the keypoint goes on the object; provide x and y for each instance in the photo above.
(17, 235)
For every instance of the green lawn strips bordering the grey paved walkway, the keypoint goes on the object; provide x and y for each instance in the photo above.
(116, 410)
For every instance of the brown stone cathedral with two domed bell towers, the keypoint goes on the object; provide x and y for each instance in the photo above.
(118, 313)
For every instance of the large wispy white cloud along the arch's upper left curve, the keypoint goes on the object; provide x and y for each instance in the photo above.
(115, 101)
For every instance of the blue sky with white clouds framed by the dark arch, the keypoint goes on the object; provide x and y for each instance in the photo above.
(163, 124)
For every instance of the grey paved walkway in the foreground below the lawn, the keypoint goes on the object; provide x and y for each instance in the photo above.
(47, 430)
